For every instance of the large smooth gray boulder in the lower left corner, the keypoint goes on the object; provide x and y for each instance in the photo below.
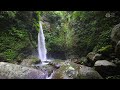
(12, 71)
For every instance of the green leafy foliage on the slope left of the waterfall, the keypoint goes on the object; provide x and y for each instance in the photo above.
(18, 31)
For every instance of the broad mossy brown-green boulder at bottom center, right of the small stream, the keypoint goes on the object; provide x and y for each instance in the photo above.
(70, 70)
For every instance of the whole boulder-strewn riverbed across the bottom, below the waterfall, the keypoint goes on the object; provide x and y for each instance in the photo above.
(83, 68)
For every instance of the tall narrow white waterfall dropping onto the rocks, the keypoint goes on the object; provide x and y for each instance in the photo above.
(41, 45)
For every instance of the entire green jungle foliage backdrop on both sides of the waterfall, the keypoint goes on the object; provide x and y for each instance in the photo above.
(69, 32)
